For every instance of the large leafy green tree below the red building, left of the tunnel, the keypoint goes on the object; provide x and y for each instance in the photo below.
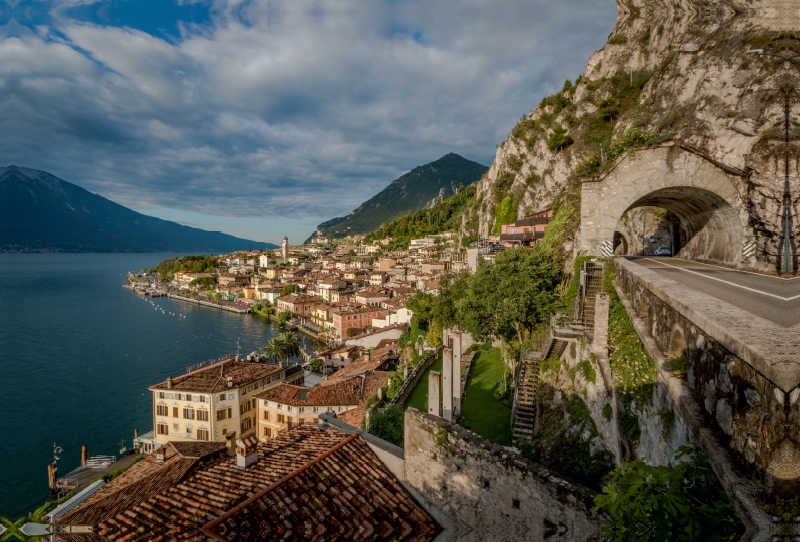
(510, 297)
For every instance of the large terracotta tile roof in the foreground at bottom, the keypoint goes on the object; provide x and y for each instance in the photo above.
(308, 484)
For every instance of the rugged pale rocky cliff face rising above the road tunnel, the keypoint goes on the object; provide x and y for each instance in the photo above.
(670, 71)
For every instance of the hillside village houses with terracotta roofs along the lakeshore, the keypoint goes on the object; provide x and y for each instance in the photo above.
(352, 296)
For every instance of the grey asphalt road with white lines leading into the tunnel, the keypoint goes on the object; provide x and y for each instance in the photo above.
(772, 298)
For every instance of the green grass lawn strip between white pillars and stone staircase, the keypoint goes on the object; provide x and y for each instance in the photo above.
(481, 413)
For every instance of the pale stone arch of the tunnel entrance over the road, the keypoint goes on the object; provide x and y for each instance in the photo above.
(702, 194)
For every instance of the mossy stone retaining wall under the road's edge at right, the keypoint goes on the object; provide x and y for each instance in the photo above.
(739, 403)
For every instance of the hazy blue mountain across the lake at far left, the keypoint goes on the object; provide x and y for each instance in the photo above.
(42, 213)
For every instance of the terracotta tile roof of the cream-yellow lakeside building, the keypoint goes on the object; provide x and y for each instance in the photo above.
(215, 377)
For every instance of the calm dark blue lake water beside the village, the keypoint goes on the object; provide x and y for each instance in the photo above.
(77, 353)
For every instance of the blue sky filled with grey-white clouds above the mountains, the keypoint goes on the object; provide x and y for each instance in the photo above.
(264, 118)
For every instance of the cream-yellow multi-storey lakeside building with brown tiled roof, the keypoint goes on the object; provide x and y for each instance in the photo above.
(210, 402)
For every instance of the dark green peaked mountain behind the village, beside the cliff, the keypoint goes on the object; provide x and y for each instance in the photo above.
(421, 187)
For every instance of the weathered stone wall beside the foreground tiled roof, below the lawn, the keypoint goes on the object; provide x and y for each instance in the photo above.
(490, 491)
